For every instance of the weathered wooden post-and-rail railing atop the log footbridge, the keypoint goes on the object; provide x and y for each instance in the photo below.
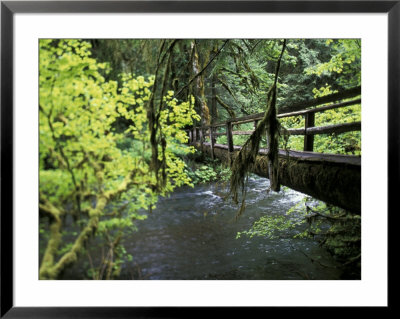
(199, 133)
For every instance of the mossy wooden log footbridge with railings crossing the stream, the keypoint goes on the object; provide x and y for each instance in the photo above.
(335, 179)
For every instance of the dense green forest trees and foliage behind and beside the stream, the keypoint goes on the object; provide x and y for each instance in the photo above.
(113, 115)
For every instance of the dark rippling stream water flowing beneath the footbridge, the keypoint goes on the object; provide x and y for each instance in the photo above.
(192, 235)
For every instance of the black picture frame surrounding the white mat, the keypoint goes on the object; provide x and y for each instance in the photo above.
(9, 8)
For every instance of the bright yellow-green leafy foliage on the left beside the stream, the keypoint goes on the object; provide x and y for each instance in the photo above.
(81, 161)
